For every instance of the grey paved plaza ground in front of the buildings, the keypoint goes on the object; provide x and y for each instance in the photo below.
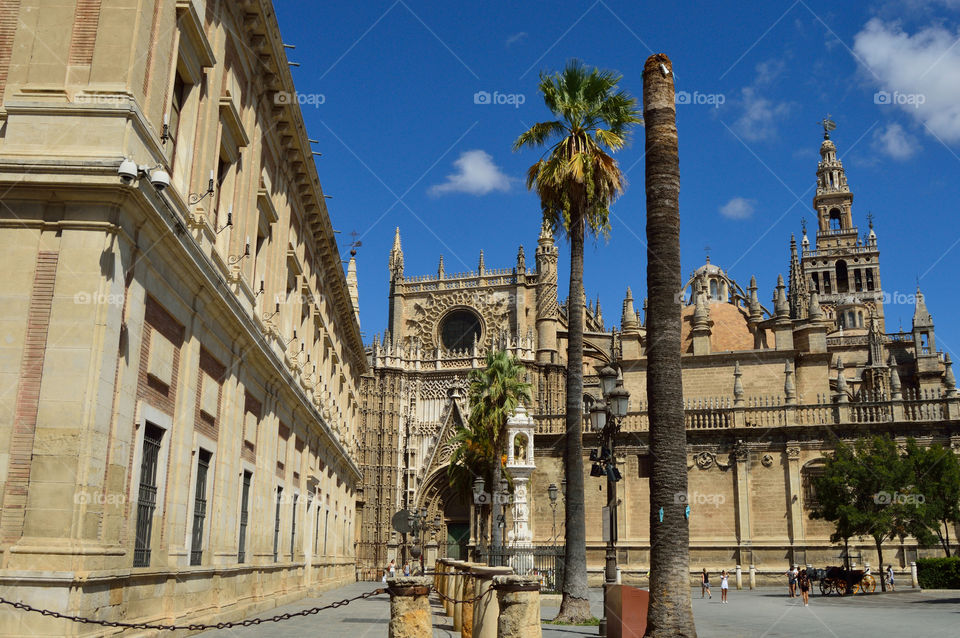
(766, 613)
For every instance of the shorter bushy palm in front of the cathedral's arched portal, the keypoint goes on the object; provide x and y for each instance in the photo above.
(494, 393)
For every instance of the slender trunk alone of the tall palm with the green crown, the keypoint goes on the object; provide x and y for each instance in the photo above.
(575, 606)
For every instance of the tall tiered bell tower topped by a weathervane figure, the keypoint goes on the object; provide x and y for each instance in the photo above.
(843, 268)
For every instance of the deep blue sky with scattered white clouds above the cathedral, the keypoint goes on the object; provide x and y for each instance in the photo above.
(389, 90)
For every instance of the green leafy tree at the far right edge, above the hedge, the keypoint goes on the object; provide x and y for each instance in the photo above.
(935, 473)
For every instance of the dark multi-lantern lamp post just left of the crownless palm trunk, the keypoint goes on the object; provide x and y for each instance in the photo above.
(605, 419)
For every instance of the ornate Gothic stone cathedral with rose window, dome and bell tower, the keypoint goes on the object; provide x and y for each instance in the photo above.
(768, 391)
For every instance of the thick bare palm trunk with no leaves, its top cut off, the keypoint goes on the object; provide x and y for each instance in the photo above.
(670, 612)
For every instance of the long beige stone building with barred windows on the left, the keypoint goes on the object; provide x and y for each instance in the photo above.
(181, 355)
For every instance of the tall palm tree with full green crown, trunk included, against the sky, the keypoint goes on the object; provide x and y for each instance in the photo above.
(577, 181)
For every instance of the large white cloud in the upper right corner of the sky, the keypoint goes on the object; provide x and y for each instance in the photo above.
(918, 73)
